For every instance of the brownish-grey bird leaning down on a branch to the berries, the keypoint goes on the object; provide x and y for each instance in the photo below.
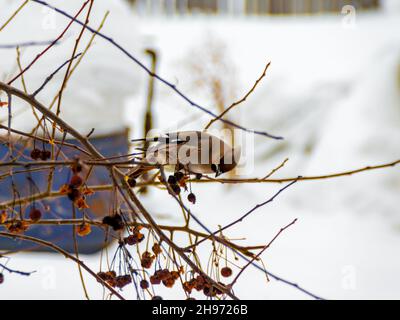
(194, 152)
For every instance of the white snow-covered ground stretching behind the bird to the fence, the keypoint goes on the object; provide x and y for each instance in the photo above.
(333, 92)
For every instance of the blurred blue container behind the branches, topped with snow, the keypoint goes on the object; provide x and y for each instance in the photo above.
(61, 207)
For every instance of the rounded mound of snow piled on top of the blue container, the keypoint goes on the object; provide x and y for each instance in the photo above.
(95, 94)
